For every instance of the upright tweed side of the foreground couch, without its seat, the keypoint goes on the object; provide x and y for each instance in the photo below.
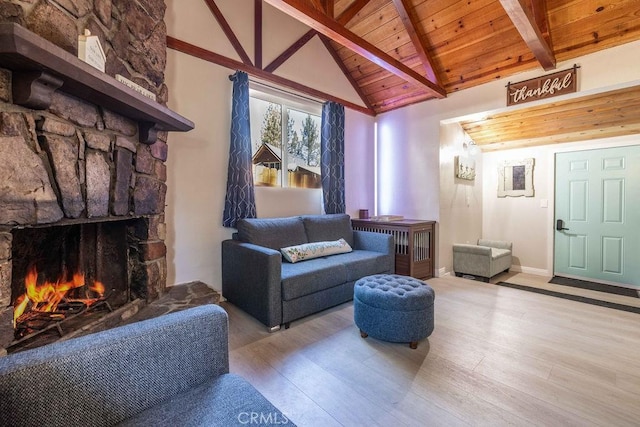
(107, 377)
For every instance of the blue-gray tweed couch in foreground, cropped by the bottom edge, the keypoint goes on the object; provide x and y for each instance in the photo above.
(172, 370)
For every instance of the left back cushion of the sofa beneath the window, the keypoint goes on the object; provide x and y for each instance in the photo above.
(274, 233)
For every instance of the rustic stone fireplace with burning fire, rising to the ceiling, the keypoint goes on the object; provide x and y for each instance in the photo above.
(79, 192)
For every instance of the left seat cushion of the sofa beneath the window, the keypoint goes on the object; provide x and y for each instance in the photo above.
(304, 278)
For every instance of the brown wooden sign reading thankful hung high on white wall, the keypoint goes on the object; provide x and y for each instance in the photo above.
(555, 84)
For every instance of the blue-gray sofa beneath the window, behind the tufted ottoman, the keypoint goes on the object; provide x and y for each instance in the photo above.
(257, 279)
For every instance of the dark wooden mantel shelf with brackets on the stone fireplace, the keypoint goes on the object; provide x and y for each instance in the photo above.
(40, 68)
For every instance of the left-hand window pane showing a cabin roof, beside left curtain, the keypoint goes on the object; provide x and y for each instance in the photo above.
(266, 140)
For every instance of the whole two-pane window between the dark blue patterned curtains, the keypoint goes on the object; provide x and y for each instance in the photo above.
(284, 156)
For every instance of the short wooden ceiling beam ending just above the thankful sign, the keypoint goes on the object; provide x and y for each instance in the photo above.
(530, 21)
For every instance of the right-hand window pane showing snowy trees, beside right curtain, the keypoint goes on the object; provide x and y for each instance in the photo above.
(303, 149)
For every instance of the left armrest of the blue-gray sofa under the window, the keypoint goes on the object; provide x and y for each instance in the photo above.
(251, 279)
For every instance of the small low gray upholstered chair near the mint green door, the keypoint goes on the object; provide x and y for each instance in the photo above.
(485, 260)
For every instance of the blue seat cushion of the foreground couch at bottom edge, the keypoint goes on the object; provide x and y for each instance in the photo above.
(227, 400)
